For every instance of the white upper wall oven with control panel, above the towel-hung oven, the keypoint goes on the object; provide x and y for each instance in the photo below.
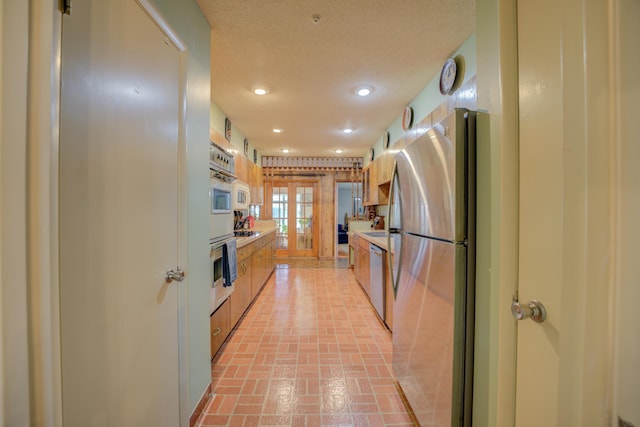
(221, 176)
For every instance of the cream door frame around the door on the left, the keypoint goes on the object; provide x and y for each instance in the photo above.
(34, 141)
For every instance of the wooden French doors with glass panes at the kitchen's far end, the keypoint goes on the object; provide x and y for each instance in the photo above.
(294, 208)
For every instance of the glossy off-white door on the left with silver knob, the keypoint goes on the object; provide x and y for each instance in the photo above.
(118, 218)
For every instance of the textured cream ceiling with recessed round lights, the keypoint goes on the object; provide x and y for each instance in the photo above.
(311, 68)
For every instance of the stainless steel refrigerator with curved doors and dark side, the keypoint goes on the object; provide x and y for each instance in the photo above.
(432, 226)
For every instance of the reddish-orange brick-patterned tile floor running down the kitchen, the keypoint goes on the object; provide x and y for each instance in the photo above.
(309, 352)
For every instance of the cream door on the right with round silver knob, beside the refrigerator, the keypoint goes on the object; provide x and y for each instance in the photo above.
(566, 219)
